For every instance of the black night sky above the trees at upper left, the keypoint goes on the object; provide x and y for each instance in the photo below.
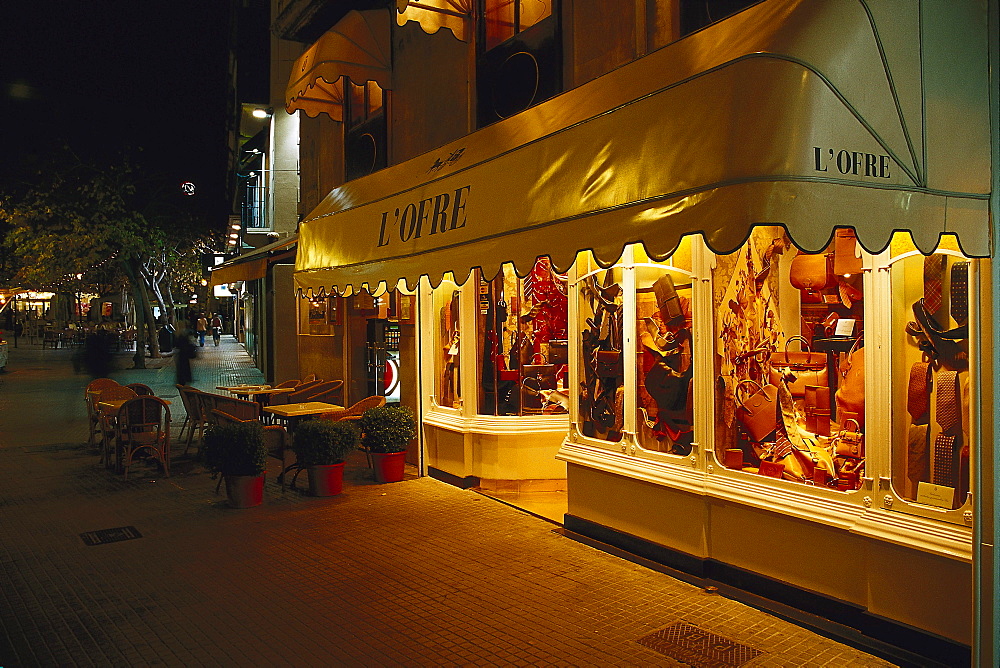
(103, 75)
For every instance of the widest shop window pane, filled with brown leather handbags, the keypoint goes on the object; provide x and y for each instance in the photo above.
(790, 360)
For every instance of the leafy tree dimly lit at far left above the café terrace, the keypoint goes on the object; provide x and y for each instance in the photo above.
(100, 228)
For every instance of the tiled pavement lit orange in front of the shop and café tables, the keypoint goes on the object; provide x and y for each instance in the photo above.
(416, 573)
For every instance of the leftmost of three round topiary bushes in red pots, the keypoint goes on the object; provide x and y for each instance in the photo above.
(236, 452)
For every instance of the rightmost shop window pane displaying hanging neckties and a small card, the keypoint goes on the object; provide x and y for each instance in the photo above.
(930, 373)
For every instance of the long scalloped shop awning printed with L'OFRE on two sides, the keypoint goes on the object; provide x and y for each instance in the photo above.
(798, 113)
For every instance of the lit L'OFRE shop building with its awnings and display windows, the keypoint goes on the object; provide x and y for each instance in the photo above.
(722, 280)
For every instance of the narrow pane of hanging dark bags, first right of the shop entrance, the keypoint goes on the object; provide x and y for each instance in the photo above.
(602, 390)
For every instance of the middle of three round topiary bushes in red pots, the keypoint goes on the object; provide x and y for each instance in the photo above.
(320, 448)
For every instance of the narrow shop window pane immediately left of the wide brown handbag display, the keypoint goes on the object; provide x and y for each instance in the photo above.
(664, 402)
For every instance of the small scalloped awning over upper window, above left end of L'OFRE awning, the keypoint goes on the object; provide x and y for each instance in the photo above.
(357, 47)
